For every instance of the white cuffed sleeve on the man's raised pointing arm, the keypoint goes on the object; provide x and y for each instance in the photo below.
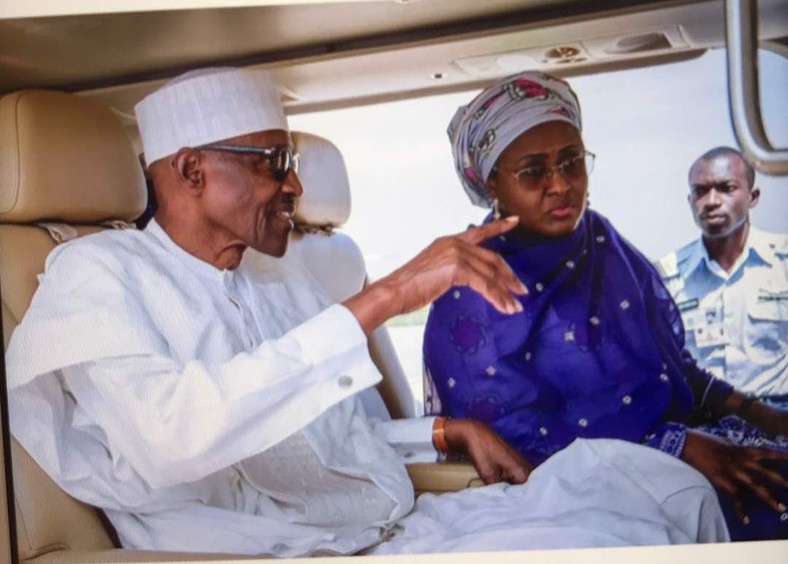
(179, 424)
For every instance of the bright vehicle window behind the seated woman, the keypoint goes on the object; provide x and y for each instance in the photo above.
(646, 126)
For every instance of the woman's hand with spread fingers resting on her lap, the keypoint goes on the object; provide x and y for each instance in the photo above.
(733, 469)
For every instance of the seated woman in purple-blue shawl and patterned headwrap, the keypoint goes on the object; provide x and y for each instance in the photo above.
(599, 349)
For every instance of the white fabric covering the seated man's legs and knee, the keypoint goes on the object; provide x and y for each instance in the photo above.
(594, 493)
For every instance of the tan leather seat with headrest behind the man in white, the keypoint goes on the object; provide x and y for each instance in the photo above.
(66, 167)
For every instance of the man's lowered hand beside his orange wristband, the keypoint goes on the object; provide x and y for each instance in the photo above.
(494, 460)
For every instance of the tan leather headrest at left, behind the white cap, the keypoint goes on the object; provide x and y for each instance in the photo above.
(65, 158)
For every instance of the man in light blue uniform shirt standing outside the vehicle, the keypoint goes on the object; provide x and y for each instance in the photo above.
(731, 285)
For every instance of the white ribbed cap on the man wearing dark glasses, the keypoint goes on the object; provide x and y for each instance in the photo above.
(205, 106)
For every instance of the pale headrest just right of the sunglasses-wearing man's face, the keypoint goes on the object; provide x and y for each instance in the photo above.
(326, 198)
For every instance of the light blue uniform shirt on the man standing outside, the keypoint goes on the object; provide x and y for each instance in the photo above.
(736, 323)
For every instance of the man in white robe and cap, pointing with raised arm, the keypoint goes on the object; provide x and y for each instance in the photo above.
(204, 394)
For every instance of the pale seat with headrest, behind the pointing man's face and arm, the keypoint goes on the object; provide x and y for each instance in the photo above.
(334, 258)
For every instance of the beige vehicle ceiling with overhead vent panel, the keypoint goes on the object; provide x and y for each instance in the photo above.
(340, 54)
